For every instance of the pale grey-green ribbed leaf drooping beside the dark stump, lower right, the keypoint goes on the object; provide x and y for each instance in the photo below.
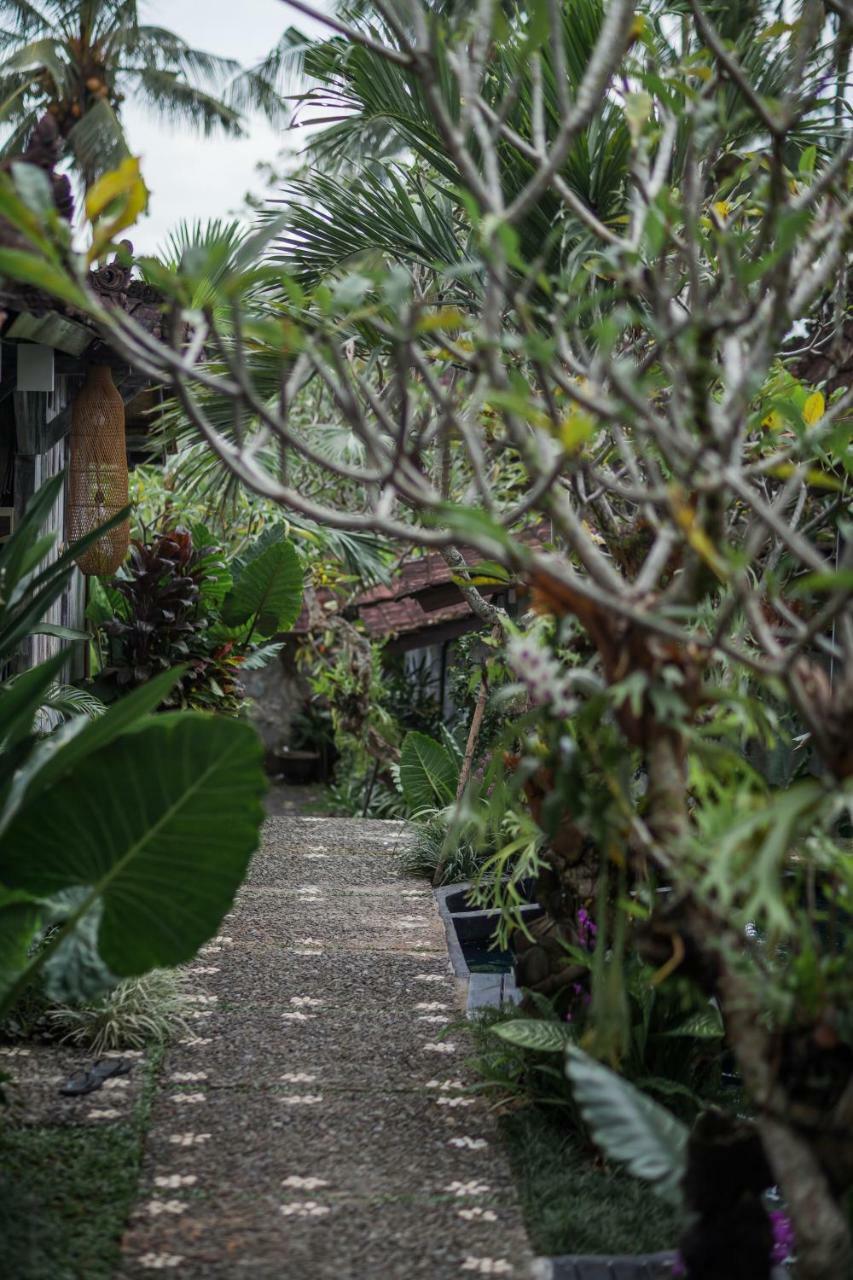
(628, 1126)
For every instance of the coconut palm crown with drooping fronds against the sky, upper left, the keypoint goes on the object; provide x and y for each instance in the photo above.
(80, 60)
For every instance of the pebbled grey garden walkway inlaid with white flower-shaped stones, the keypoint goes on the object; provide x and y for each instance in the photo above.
(316, 1124)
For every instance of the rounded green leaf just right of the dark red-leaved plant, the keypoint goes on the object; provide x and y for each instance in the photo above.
(268, 592)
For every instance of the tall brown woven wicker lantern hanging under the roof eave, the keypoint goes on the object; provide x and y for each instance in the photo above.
(98, 473)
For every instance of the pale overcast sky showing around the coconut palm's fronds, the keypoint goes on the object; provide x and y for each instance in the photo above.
(188, 175)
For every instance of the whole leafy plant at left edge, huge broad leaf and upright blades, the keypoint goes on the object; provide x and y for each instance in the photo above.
(175, 803)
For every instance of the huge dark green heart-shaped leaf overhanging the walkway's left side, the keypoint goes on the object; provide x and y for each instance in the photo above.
(159, 829)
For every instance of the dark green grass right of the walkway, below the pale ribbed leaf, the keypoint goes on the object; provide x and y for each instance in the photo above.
(572, 1204)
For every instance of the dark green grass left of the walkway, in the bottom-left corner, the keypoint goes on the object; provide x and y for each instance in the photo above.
(66, 1194)
